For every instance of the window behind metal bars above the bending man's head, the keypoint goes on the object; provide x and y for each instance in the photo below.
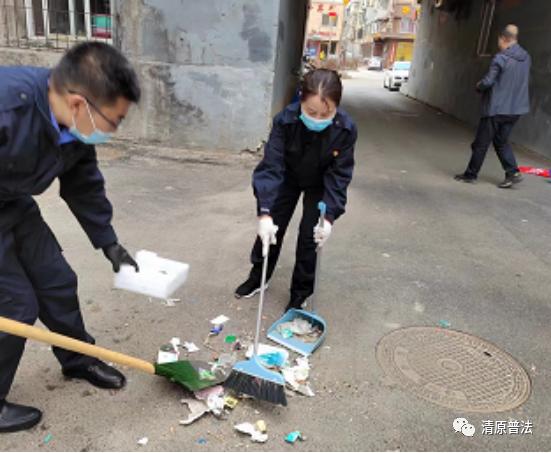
(69, 19)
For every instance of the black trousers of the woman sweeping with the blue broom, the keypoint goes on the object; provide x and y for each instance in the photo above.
(302, 284)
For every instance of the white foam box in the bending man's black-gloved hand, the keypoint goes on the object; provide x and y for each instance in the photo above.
(158, 277)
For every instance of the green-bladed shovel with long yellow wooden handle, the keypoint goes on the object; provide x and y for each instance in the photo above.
(193, 375)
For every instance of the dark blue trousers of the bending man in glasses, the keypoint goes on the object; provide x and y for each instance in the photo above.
(36, 282)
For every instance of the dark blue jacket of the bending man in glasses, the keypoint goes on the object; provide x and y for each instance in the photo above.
(30, 158)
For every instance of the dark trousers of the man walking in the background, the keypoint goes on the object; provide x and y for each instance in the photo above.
(496, 130)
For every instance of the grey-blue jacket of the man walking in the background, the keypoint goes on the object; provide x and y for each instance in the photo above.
(505, 87)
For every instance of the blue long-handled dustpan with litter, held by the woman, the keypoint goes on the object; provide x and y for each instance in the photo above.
(294, 343)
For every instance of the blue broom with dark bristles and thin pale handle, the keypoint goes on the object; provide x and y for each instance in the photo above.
(249, 377)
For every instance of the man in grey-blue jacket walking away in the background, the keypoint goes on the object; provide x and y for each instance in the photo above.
(505, 97)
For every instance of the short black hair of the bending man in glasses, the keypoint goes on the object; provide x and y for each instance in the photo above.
(98, 71)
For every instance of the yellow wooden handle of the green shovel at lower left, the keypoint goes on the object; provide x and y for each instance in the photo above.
(70, 344)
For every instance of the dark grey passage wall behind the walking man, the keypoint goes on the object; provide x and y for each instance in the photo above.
(446, 66)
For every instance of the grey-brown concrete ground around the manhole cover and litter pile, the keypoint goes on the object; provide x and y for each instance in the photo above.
(415, 248)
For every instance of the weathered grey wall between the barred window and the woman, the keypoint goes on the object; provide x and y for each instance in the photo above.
(207, 69)
